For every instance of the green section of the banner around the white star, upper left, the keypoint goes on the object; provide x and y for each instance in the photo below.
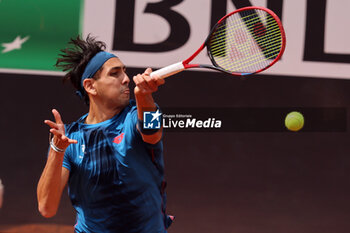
(49, 24)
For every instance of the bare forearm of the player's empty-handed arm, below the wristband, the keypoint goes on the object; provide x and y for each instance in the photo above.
(49, 186)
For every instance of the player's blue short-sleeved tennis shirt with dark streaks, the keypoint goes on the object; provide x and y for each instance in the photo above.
(116, 181)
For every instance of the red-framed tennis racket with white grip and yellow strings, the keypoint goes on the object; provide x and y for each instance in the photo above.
(246, 41)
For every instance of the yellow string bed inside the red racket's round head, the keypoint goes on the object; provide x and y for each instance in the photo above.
(246, 43)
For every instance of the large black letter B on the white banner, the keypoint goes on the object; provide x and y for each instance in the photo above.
(124, 27)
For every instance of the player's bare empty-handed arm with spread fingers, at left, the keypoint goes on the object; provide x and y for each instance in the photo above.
(54, 177)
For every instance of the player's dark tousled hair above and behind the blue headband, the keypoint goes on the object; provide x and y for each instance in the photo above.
(75, 58)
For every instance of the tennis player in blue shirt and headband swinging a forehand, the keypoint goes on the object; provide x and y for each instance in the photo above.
(114, 168)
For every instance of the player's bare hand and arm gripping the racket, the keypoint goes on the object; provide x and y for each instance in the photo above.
(145, 86)
